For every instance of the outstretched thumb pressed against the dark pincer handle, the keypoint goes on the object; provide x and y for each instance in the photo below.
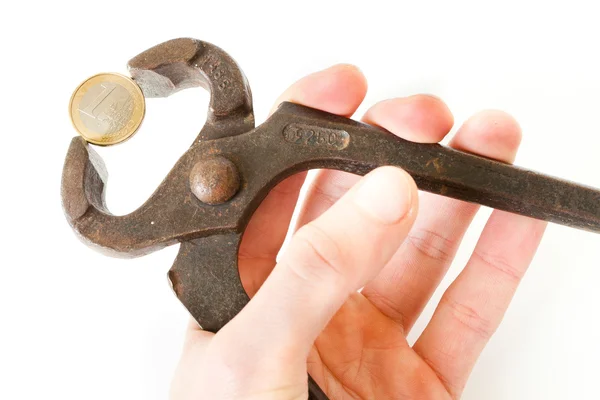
(327, 260)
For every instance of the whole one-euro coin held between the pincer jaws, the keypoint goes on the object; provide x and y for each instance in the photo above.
(107, 108)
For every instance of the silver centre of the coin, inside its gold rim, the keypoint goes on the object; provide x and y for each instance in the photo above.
(106, 108)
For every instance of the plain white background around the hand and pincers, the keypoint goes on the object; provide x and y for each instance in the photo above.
(78, 325)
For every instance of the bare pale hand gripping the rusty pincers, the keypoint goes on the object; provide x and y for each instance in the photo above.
(376, 233)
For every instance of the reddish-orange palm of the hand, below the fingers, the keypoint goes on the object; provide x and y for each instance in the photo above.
(364, 354)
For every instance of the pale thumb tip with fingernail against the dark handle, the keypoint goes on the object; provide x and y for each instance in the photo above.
(385, 194)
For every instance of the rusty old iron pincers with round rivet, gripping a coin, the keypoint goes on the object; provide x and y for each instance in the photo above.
(208, 197)
